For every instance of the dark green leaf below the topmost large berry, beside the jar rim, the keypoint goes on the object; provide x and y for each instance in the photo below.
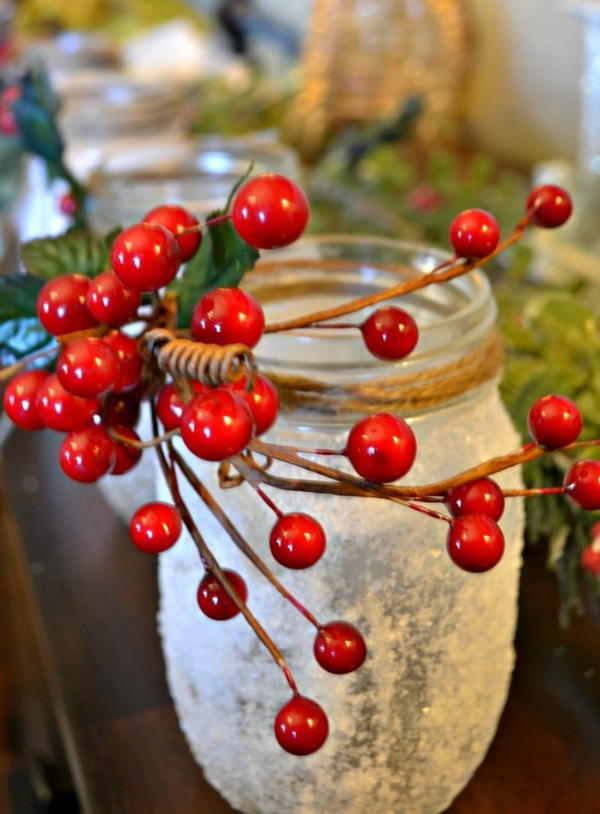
(222, 260)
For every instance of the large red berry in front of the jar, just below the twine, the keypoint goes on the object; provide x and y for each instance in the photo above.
(381, 447)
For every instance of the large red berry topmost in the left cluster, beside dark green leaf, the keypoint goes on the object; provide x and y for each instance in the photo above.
(270, 211)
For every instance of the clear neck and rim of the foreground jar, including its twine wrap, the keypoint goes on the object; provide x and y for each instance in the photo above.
(328, 376)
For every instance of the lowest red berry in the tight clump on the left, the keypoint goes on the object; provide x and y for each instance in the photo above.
(87, 454)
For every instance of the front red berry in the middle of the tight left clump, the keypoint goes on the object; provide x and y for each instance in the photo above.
(87, 367)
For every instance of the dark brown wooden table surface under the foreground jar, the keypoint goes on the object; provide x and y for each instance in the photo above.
(94, 598)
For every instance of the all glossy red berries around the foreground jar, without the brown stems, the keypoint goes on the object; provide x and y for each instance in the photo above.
(94, 396)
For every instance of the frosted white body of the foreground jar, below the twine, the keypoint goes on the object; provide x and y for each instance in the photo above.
(410, 727)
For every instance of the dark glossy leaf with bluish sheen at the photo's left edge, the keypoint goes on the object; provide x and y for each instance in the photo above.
(20, 331)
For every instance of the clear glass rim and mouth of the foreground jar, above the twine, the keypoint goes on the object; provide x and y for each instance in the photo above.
(327, 270)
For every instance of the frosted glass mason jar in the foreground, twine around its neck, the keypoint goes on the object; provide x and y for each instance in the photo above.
(408, 729)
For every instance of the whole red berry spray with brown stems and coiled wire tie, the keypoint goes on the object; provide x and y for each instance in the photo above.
(119, 342)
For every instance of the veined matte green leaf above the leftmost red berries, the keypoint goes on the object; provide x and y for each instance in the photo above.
(76, 252)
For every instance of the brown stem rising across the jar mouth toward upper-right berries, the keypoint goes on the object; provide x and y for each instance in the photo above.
(406, 287)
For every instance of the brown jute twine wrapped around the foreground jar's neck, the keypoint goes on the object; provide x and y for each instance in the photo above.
(402, 393)
